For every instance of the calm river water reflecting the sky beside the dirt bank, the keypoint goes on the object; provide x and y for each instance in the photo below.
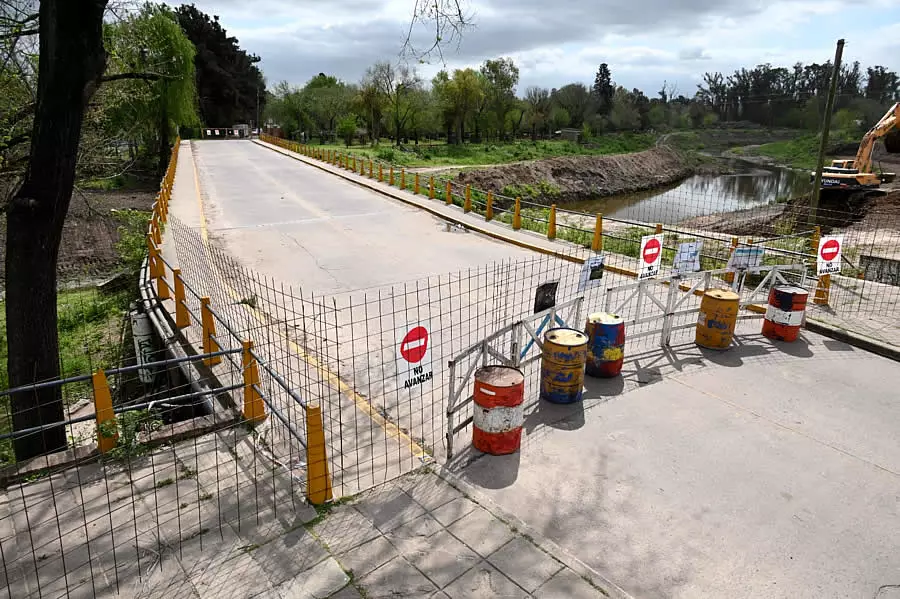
(751, 186)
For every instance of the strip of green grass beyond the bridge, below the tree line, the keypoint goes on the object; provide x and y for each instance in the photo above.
(441, 154)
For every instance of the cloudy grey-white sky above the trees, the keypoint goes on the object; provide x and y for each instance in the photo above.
(555, 42)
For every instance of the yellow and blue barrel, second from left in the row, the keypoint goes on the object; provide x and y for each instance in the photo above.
(562, 365)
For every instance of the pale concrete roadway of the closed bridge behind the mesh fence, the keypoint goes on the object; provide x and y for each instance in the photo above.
(315, 231)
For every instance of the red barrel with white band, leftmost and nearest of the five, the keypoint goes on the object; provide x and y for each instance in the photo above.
(498, 413)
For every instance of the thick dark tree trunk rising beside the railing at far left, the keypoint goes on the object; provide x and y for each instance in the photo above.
(72, 59)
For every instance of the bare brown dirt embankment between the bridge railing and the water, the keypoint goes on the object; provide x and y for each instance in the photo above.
(573, 178)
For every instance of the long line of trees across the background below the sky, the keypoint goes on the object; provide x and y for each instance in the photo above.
(394, 101)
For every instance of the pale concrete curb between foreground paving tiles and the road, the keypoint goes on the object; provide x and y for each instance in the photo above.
(606, 586)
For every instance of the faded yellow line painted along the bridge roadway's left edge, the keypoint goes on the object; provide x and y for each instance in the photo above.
(333, 380)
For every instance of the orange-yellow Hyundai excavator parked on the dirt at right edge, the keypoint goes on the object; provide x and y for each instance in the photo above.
(854, 176)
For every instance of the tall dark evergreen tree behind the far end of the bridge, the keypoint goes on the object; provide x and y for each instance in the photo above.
(229, 84)
